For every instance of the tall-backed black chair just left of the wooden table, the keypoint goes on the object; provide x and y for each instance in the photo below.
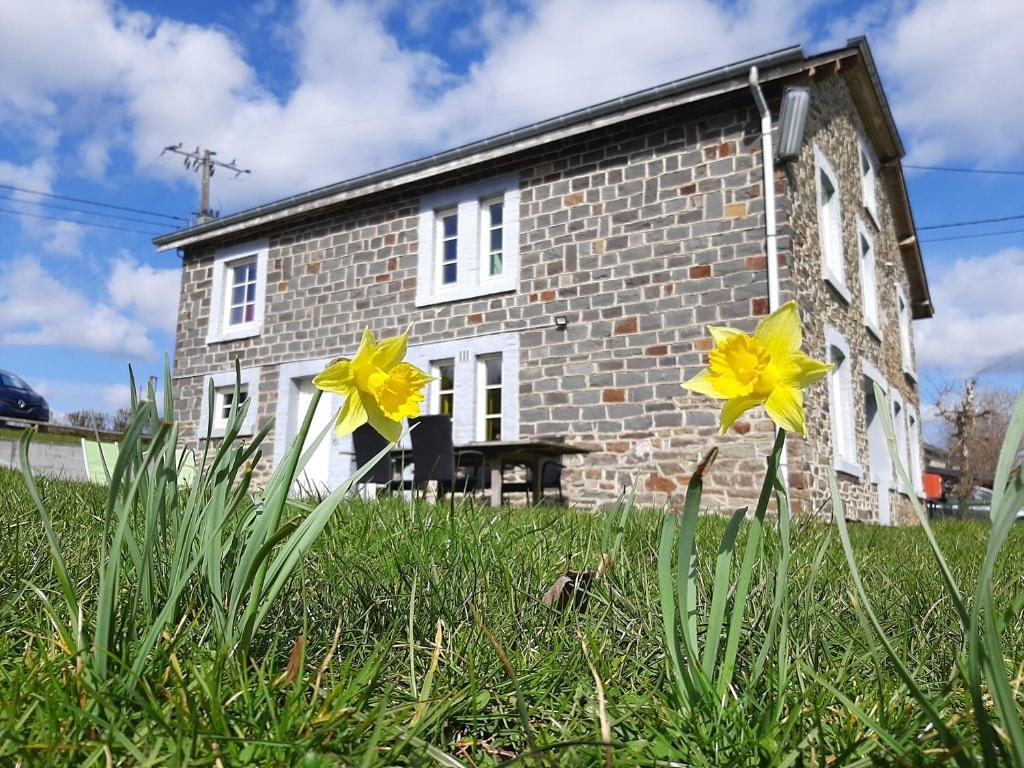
(434, 458)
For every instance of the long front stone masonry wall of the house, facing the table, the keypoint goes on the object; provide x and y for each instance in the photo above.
(641, 234)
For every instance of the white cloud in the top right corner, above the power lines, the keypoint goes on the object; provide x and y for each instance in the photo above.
(951, 69)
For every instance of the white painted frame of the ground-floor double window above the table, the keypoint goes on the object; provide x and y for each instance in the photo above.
(466, 353)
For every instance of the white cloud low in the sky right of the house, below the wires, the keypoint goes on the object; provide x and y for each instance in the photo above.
(978, 318)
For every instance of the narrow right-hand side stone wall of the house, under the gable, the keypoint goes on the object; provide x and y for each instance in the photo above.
(834, 126)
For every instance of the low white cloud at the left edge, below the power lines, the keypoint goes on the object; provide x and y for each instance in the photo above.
(37, 310)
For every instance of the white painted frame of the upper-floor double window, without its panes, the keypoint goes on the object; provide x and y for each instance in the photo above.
(473, 279)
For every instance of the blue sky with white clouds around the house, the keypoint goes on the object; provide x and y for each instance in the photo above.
(311, 93)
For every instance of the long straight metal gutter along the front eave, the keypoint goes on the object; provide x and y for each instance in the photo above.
(376, 181)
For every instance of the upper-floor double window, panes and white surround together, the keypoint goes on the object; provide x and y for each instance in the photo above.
(470, 242)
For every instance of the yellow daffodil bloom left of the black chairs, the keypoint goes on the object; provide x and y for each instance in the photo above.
(378, 387)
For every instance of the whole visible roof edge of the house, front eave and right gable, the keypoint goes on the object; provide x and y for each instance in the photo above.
(786, 63)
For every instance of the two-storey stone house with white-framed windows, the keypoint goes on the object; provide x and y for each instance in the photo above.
(560, 278)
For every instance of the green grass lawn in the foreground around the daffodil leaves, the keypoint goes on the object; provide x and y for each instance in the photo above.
(385, 581)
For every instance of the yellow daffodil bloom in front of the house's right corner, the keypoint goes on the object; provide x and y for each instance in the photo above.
(764, 369)
